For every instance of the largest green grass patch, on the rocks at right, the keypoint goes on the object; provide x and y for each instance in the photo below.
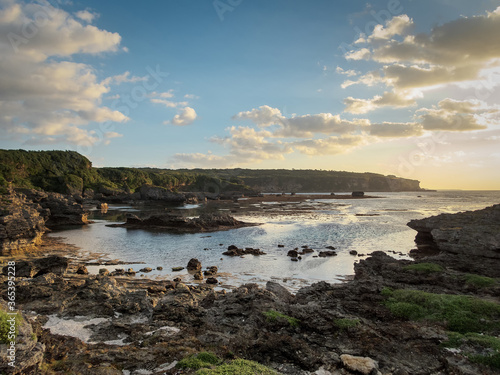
(459, 313)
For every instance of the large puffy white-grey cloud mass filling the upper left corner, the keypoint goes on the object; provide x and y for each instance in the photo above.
(45, 96)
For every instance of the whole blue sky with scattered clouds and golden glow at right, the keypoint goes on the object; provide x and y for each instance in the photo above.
(398, 87)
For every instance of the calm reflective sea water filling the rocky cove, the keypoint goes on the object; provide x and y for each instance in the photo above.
(364, 225)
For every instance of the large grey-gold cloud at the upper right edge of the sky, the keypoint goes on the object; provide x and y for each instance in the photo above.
(456, 51)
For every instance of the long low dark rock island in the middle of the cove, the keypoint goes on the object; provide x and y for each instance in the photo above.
(175, 223)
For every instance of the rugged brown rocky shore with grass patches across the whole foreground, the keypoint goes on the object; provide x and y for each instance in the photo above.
(385, 321)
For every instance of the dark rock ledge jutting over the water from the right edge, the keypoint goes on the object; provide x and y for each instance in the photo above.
(471, 233)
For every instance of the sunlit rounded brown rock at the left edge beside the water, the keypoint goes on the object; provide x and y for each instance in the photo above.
(21, 225)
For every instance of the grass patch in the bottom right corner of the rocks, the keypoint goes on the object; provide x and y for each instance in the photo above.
(481, 343)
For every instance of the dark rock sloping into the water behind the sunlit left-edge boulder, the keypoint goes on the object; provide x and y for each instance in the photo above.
(58, 209)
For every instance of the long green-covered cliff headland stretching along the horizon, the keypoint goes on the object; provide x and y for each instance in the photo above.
(70, 172)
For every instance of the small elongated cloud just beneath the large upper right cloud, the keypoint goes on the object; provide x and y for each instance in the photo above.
(387, 99)
